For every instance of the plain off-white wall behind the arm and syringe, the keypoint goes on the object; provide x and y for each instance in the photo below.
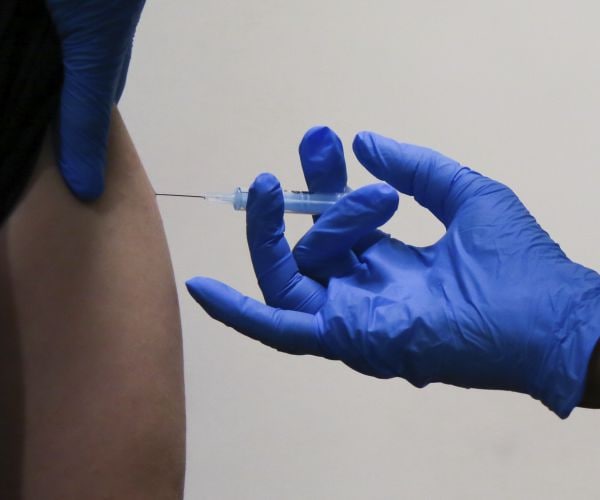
(221, 90)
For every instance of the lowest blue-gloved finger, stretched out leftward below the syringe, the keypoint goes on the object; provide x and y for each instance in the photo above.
(288, 331)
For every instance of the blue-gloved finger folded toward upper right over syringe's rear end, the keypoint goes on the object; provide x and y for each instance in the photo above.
(327, 249)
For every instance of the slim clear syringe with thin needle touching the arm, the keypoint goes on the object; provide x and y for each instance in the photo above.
(296, 202)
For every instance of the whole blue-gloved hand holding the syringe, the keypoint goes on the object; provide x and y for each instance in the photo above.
(494, 304)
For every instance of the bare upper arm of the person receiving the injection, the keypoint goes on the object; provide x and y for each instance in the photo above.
(89, 313)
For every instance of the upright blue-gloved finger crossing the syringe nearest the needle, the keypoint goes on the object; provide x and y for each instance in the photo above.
(275, 268)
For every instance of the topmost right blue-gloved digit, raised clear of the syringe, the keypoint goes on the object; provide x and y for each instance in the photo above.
(436, 181)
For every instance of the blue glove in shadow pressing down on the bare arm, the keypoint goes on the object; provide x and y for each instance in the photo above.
(97, 38)
